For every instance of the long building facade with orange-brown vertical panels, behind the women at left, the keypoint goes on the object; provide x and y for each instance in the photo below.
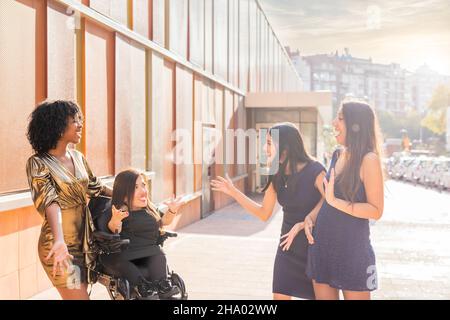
(140, 70)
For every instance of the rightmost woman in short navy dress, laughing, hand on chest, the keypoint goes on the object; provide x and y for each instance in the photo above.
(342, 257)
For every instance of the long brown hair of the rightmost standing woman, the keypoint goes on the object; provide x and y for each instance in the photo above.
(363, 136)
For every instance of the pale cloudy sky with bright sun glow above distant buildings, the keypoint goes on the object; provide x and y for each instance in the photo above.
(409, 32)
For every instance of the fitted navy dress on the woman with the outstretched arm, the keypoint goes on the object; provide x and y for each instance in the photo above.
(297, 200)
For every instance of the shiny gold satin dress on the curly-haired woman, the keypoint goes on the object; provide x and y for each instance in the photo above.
(51, 182)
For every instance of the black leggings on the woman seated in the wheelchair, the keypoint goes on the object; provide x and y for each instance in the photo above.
(150, 268)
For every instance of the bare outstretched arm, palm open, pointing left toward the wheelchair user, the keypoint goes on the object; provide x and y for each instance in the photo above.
(262, 211)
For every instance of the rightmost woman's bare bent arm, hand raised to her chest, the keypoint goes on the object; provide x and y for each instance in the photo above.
(373, 184)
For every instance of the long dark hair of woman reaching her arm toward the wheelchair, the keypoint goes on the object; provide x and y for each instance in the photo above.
(291, 141)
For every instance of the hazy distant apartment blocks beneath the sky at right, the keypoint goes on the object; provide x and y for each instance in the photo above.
(385, 86)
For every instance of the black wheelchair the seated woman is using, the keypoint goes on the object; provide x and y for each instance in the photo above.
(104, 242)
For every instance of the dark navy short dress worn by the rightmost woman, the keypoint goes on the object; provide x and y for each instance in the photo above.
(342, 255)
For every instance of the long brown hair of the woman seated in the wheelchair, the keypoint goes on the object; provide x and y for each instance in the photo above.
(124, 188)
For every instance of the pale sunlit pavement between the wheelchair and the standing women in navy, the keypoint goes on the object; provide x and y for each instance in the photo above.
(228, 255)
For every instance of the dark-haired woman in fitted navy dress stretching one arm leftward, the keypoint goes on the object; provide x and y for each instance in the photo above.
(297, 184)
